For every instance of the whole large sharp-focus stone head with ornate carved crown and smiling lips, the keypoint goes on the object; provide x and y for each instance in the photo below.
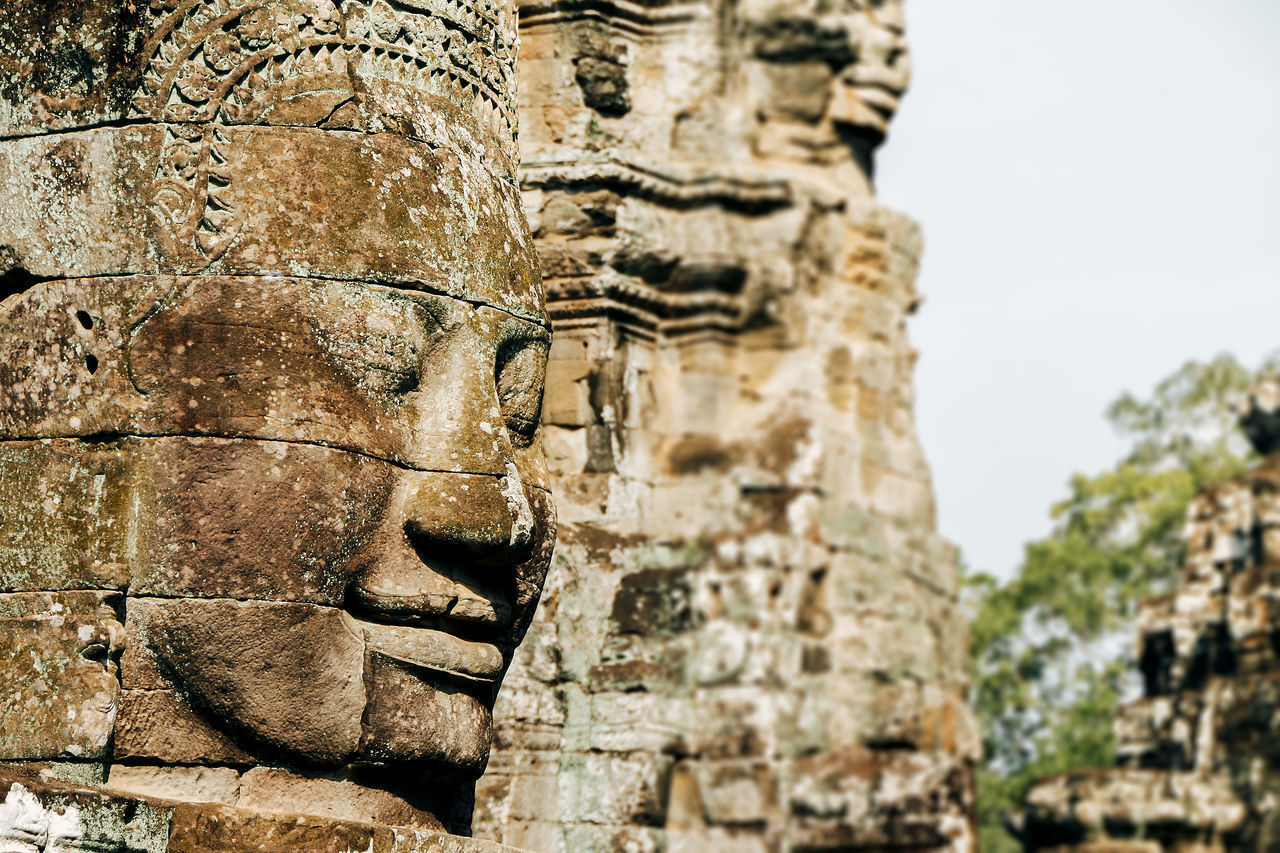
(272, 357)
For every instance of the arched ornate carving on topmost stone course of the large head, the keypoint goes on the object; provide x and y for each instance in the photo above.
(218, 61)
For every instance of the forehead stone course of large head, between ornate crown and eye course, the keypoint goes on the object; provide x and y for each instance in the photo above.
(374, 208)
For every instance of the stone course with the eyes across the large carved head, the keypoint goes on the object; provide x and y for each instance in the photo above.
(287, 359)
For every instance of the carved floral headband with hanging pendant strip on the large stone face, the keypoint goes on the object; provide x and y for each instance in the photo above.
(232, 62)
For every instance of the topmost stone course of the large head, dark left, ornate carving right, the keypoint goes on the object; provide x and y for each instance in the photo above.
(351, 65)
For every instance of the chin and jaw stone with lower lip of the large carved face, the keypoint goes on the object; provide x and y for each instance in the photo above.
(305, 686)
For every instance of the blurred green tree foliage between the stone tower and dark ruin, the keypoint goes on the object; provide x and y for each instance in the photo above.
(1052, 647)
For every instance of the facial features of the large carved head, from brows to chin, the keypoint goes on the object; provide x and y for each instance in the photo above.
(340, 605)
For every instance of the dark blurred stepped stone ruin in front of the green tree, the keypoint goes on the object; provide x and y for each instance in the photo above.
(1199, 760)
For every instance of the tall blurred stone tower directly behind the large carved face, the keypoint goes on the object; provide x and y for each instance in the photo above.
(751, 640)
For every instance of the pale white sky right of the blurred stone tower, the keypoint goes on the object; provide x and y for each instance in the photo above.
(1100, 189)
